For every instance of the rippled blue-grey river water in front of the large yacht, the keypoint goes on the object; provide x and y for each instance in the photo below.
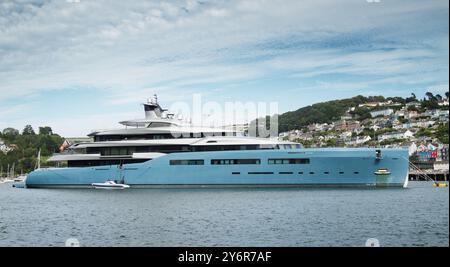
(418, 216)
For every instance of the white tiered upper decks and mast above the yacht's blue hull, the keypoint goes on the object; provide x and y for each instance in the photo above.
(157, 135)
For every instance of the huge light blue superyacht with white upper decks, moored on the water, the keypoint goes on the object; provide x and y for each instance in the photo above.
(161, 152)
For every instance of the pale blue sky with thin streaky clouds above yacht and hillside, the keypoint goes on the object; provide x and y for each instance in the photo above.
(79, 65)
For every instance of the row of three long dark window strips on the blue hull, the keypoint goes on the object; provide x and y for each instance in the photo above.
(239, 161)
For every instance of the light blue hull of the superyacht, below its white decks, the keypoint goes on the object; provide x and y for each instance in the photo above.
(337, 167)
